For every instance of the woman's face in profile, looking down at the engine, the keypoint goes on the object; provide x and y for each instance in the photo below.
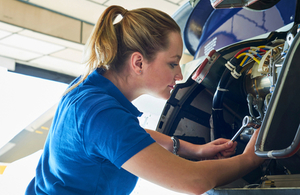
(161, 74)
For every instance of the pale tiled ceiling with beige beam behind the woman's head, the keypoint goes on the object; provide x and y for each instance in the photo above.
(50, 34)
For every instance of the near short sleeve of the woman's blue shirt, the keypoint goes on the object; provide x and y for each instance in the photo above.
(114, 134)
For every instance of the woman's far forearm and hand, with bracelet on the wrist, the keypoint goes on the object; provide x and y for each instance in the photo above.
(219, 148)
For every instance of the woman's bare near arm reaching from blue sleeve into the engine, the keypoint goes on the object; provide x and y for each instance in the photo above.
(159, 166)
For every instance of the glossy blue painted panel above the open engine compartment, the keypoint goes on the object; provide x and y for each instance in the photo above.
(208, 28)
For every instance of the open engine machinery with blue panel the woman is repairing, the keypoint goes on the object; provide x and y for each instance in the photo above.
(244, 75)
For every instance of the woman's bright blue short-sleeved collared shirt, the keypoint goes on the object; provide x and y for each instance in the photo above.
(95, 130)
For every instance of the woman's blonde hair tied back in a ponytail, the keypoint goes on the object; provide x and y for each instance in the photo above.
(143, 30)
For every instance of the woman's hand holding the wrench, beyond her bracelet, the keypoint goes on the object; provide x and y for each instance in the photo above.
(217, 149)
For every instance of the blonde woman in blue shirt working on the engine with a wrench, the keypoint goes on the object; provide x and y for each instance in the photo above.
(96, 146)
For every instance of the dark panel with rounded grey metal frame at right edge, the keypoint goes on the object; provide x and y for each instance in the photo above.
(283, 111)
